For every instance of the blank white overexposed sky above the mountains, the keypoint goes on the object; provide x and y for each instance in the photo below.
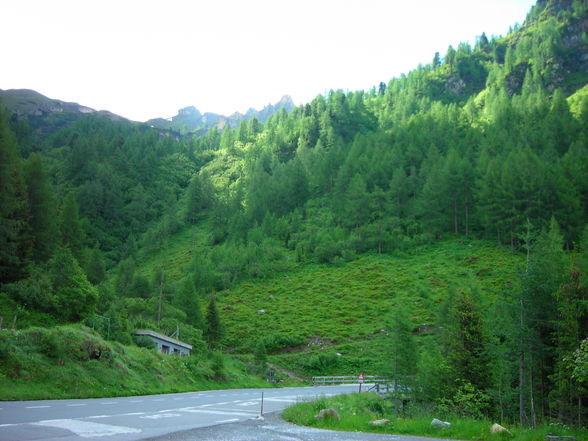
(147, 58)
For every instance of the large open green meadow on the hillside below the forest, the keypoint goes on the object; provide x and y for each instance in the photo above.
(339, 306)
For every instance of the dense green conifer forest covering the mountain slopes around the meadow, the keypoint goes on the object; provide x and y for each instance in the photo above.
(486, 142)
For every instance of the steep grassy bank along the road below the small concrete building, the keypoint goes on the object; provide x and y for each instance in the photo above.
(74, 362)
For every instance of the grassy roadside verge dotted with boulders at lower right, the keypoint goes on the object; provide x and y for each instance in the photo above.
(357, 410)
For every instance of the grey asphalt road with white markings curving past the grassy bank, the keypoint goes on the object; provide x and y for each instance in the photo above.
(142, 417)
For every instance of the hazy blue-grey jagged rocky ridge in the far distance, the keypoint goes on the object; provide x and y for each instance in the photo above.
(190, 119)
